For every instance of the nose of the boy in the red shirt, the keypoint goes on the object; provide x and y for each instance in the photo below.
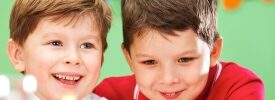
(169, 75)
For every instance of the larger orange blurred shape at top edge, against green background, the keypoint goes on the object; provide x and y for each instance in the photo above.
(231, 4)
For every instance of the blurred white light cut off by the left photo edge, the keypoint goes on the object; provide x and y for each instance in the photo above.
(5, 86)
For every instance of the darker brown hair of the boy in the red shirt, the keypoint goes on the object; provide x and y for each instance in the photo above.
(166, 16)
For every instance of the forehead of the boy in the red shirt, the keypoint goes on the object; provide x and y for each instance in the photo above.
(154, 42)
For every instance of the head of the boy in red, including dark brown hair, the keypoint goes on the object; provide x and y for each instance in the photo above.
(170, 45)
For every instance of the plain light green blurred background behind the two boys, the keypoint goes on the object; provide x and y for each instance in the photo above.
(248, 32)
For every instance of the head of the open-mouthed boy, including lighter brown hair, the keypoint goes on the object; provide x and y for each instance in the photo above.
(60, 42)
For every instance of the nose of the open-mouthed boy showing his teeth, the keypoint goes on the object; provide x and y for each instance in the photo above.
(72, 57)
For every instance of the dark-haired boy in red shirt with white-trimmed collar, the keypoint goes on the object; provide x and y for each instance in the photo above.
(173, 49)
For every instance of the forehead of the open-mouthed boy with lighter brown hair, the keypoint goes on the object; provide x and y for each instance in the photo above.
(67, 27)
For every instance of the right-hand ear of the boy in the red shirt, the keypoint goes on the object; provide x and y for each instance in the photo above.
(216, 51)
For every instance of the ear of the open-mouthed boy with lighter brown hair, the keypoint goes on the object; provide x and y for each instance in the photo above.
(15, 54)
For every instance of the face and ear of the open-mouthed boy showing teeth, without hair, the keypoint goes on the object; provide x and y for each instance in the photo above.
(65, 58)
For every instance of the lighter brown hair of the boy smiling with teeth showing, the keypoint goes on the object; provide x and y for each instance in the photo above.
(26, 14)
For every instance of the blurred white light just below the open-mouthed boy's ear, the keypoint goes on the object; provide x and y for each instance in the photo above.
(29, 84)
